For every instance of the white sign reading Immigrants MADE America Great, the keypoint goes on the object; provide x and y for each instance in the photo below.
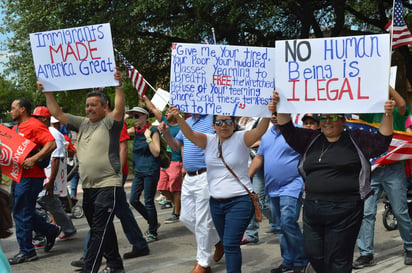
(74, 58)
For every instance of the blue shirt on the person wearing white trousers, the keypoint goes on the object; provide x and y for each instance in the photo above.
(194, 157)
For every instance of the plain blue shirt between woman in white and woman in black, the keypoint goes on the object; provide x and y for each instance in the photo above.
(282, 177)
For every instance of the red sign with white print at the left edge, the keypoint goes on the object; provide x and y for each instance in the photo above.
(14, 149)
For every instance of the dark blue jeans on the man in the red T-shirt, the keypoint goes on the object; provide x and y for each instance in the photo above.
(26, 219)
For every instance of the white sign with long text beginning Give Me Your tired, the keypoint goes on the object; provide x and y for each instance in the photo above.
(222, 79)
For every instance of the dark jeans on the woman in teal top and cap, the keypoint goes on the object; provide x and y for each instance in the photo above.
(148, 183)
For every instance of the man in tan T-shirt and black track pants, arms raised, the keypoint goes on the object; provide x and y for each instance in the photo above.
(99, 165)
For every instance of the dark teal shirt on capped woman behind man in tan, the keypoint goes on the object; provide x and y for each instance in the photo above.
(143, 160)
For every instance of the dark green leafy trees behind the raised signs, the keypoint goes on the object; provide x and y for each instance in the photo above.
(144, 30)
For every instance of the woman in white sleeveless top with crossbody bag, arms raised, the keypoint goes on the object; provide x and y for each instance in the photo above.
(230, 204)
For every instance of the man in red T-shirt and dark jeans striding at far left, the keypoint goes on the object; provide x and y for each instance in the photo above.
(25, 191)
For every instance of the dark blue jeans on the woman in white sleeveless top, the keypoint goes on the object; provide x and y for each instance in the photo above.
(231, 217)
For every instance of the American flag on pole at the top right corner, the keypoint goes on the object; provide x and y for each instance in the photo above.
(401, 34)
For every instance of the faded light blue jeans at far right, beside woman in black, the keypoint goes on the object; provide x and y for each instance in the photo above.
(393, 181)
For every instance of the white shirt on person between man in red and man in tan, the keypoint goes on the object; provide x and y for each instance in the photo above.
(60, 184)
